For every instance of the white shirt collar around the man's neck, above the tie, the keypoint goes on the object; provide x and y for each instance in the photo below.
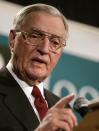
(25, 87)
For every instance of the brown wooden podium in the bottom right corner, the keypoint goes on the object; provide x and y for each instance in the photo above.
(90, 121)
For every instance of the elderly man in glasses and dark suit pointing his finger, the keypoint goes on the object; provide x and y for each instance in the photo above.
(36, 43)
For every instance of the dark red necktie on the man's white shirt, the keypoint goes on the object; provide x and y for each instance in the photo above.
(39, 102)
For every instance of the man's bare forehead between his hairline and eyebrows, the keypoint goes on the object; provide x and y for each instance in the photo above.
(45, 22)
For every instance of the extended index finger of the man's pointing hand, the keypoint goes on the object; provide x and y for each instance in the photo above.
(64, 101)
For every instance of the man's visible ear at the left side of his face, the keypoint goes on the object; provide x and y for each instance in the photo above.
(11, 40)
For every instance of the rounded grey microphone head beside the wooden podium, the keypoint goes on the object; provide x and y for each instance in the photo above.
(81, 106)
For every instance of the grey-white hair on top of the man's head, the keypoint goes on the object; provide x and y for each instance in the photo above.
(20, 16)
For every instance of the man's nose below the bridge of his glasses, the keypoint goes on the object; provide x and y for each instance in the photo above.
(43, 47)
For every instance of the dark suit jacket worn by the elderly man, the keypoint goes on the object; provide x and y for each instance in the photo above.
(16, 112)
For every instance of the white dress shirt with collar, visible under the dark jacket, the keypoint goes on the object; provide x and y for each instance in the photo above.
(27, 89)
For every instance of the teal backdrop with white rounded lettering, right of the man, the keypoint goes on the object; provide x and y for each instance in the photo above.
(75, 74)
